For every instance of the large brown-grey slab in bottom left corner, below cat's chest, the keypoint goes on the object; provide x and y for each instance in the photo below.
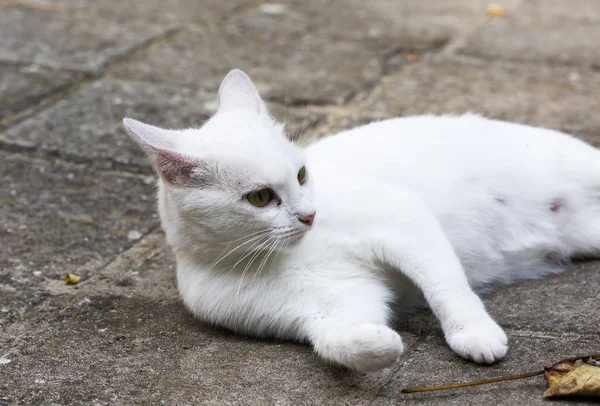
(112, 349)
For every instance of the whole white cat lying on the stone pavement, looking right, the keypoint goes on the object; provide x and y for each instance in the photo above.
(438, 205)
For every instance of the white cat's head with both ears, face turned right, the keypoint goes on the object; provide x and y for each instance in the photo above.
(236, 180)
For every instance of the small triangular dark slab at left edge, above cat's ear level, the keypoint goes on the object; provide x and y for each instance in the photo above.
(24, 86)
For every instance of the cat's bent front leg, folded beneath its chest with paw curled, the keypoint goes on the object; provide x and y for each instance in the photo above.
(350, 329)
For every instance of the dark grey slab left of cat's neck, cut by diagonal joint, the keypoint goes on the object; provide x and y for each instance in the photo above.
(60, 218)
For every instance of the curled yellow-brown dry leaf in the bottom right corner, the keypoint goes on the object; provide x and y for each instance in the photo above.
(579, 377)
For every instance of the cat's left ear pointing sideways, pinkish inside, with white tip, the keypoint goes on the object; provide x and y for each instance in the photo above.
(175, 168)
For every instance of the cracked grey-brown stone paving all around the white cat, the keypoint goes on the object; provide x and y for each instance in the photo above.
(77, 196)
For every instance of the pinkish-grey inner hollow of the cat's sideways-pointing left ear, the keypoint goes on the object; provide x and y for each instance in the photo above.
(176, 168)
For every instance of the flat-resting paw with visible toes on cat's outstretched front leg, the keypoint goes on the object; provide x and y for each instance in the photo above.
(483, 342)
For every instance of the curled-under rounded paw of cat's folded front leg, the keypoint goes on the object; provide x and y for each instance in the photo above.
(369, 348)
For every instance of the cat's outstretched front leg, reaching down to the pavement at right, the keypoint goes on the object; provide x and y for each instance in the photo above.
(418, 248)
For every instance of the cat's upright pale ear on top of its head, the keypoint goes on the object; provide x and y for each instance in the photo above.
(238, 92)
